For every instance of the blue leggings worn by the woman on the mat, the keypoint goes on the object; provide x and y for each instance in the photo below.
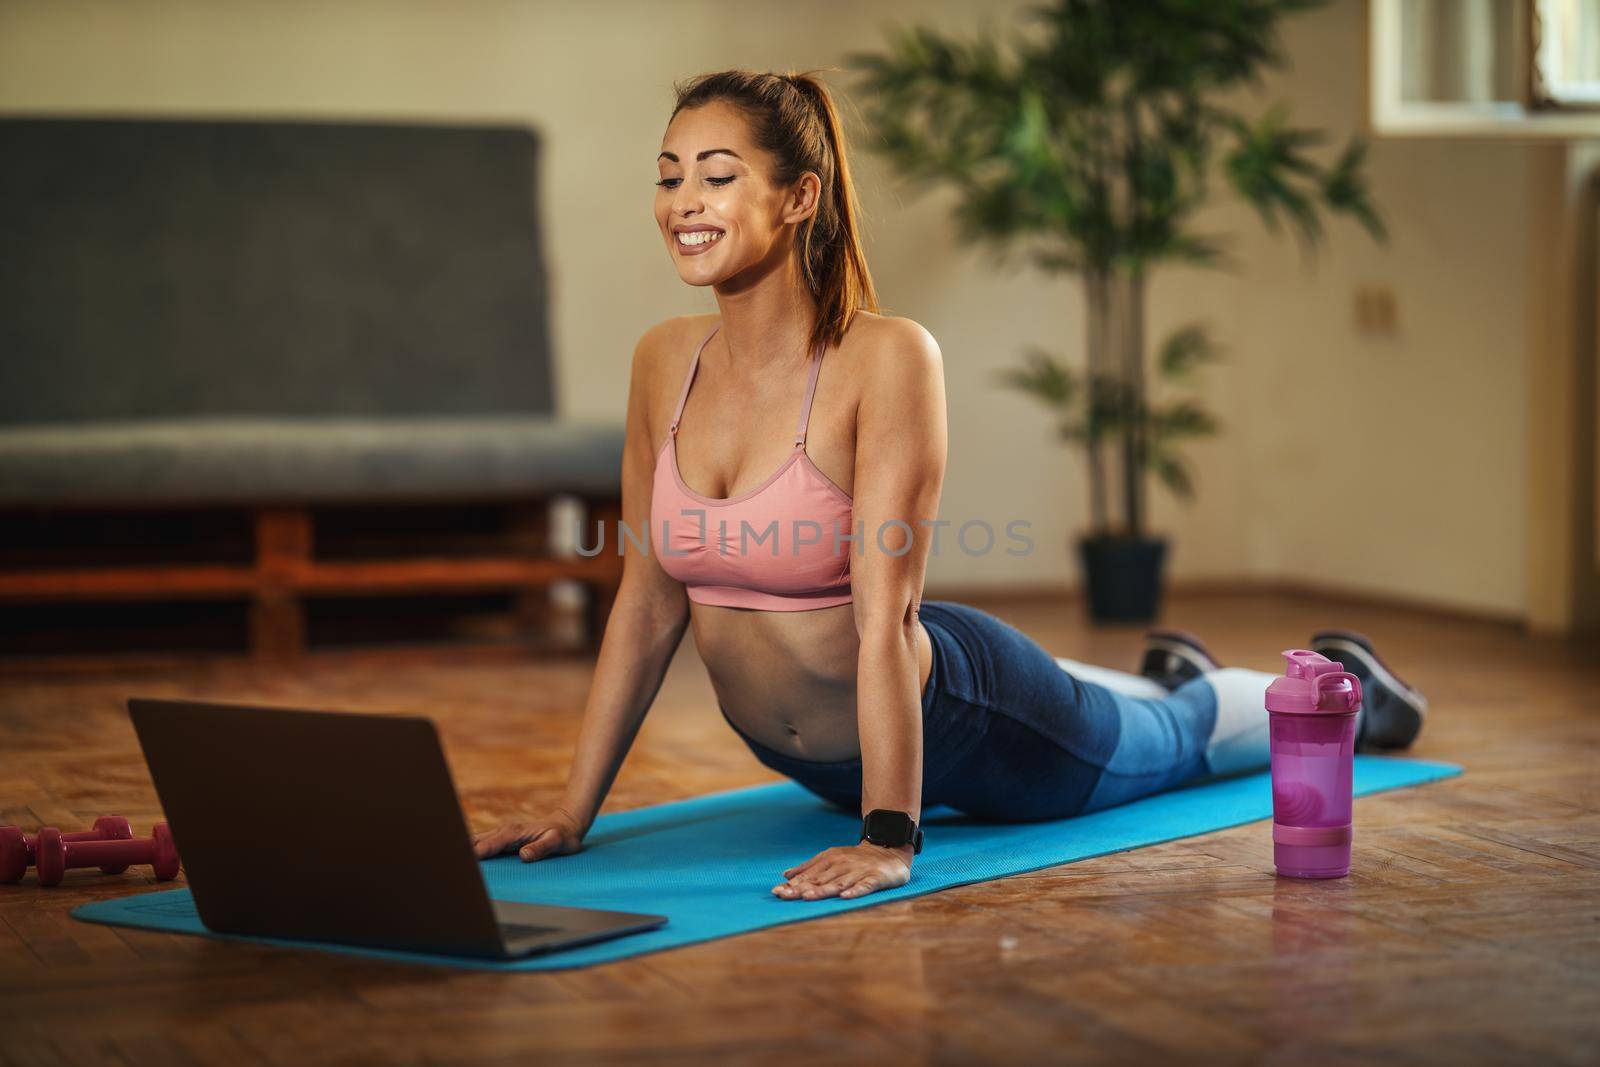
(1012, 735)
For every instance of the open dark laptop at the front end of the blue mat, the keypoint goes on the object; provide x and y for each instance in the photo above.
(334, 826)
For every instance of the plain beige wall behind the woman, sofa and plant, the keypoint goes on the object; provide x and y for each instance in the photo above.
(1391, 466)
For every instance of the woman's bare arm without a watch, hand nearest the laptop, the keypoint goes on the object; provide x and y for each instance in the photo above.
(642, 634)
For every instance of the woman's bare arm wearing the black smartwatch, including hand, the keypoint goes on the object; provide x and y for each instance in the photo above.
(902, 439)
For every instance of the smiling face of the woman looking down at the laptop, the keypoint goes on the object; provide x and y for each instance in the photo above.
(716, 206)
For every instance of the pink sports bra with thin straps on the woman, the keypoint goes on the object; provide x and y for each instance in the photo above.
(772, 548)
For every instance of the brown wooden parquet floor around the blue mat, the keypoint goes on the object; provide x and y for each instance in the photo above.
(1470, 930)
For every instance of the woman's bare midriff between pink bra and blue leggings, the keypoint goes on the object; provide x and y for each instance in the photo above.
(788, 679)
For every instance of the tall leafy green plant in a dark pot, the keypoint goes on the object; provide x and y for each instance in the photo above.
(1087, 148)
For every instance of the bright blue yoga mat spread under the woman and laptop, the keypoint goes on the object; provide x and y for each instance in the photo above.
(710, 863)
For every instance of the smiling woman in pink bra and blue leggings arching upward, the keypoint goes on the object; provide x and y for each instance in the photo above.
(799, 562)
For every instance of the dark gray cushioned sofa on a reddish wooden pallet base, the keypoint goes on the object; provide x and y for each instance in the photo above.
(273, 316)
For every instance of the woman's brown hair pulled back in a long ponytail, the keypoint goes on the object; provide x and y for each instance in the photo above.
(794, 119)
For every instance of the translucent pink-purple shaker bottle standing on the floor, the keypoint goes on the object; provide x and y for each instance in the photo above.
(1313, 709)
